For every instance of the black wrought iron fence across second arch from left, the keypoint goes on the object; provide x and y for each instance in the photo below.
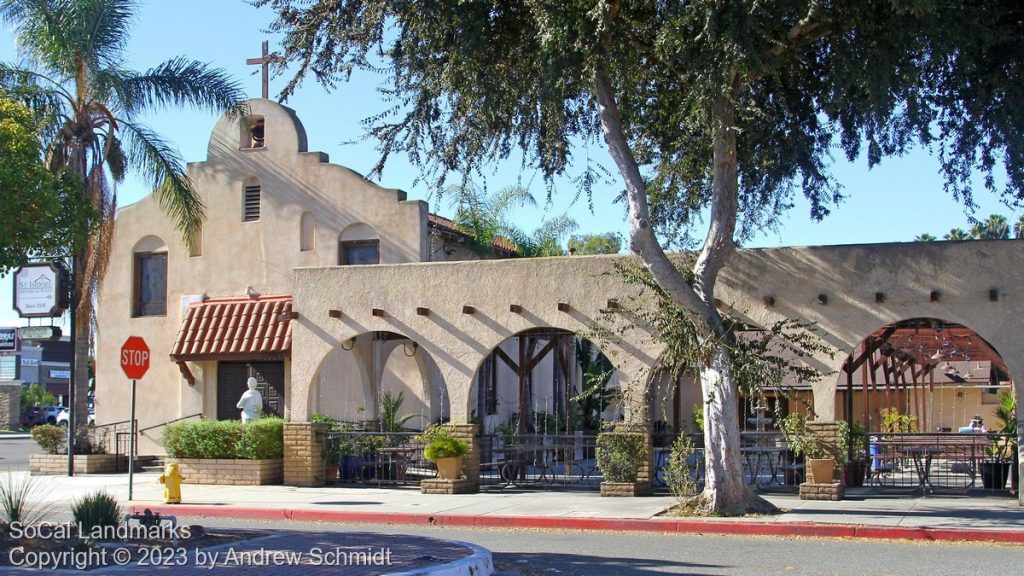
(539, 462)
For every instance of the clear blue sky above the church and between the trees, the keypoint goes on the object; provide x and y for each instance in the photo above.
(894, 202)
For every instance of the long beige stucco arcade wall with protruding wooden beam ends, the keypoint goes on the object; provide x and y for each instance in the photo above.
(849, 276)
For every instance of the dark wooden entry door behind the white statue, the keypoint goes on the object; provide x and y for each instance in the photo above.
(232, 378)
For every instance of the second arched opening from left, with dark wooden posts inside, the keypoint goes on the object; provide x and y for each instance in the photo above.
(541, 397)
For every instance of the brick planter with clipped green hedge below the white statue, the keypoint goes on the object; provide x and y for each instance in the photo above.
(228, 451)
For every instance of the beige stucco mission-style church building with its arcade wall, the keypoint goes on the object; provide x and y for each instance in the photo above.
(330, 290)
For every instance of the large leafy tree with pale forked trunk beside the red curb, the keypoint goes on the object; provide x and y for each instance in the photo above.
(728, 108)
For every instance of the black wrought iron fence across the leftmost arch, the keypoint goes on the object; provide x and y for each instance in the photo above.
(376, 459)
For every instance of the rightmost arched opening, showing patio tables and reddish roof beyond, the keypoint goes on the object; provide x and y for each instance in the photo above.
(934, 398)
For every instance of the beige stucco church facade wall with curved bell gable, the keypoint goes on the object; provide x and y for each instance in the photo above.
(236, 255)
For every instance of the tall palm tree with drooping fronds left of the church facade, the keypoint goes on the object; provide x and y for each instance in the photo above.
(92, 105)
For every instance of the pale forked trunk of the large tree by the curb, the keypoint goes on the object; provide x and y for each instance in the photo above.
(726, 490)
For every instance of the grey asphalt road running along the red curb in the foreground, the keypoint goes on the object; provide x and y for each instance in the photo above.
(537, 553)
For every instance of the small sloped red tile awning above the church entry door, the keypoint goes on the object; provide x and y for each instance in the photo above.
(236, 328)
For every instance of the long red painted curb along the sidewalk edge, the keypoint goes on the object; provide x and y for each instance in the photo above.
(681, 526)
